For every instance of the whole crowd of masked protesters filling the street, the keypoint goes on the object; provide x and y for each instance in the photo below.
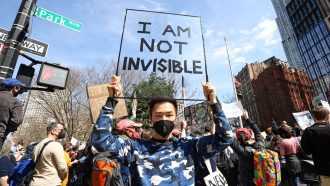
(123, 153)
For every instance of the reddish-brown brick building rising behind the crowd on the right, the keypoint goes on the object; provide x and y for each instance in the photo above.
(279, 91)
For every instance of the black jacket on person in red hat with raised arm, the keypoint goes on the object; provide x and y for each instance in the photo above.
(245, 155)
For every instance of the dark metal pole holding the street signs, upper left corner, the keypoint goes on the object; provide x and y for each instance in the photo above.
(16, 37)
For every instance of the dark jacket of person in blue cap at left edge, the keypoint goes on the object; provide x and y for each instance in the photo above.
(11, 113)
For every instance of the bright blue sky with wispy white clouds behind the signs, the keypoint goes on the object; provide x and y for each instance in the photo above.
(249, 26)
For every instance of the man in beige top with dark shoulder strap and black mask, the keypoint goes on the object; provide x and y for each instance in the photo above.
(51, 169)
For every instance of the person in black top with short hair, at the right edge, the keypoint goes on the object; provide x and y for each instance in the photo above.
(316, 141)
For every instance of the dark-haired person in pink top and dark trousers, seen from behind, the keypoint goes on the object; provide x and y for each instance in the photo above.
(289, 148)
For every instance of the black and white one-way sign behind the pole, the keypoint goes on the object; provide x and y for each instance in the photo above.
(29, 45)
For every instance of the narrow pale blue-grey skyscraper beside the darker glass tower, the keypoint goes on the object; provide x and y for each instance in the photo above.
(289, 41)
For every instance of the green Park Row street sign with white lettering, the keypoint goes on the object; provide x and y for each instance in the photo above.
(57, 19)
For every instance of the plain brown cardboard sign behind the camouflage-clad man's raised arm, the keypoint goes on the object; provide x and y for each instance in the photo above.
(98, 96)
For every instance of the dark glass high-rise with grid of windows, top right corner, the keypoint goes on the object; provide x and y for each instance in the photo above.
(313, 38)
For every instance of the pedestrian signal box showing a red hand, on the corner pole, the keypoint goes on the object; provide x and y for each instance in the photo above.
(51, 75)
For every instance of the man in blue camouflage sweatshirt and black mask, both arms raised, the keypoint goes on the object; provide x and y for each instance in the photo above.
(162, 160)
